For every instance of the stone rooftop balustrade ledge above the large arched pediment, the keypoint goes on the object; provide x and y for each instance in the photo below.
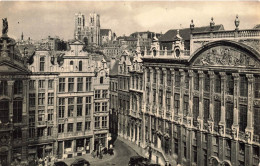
(247, 33)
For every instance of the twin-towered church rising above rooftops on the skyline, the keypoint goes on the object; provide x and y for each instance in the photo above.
(89, 32)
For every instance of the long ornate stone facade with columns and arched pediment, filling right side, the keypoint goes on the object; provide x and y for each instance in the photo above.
(200, 106)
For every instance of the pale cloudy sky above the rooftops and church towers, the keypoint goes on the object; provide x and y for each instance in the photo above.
(37, 20)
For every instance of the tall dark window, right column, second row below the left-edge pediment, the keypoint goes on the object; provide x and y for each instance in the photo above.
(17, 110)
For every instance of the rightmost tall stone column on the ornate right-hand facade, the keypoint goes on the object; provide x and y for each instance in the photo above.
(250, 128)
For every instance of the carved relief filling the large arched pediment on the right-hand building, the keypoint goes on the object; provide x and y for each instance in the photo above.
(225, 56)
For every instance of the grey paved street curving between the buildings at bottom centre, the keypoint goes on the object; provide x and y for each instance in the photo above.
(123, 154)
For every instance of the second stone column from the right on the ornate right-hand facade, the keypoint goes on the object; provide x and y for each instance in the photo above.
(235, 126)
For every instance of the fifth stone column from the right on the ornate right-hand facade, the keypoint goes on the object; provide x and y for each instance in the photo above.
(201, 103)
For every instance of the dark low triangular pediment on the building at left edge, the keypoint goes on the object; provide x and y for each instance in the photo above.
(11, 68)
